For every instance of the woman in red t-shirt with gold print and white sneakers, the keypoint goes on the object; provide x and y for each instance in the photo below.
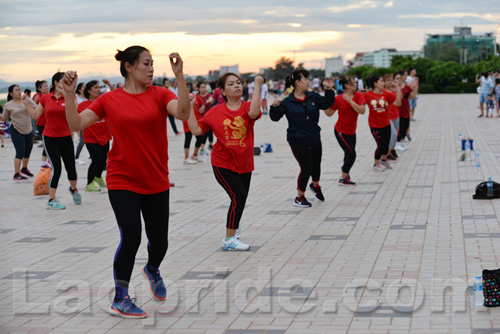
(232, 157)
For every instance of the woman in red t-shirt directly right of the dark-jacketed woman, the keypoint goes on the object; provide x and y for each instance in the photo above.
(350, 104)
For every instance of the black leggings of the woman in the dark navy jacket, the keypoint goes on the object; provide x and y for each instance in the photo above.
(309, 159)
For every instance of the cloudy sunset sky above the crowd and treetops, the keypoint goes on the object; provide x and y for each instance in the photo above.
(38, 38)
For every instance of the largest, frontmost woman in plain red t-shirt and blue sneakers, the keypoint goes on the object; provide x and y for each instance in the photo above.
(137, 169)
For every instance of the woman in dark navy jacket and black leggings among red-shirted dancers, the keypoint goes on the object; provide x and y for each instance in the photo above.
(301, 108)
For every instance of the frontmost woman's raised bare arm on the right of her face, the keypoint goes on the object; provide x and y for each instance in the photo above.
(179, 108)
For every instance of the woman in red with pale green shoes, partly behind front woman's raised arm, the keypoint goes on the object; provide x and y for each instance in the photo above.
(96, 138)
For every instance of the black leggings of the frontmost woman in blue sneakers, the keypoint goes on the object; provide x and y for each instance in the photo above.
(128, 206)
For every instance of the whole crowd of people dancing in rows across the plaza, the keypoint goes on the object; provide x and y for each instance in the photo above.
(221, 116)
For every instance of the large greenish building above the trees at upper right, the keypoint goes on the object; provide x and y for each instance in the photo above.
(468, 47)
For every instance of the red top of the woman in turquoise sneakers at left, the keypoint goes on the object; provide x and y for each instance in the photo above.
(55, 114)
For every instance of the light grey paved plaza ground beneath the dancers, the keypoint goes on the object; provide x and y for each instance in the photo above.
(395, 254)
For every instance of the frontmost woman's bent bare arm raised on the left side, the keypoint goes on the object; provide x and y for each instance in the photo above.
(76, 121)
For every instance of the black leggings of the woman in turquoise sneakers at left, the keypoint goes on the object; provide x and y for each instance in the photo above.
(57, 148)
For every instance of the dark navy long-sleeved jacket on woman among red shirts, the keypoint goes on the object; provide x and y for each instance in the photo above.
(303, 117)
